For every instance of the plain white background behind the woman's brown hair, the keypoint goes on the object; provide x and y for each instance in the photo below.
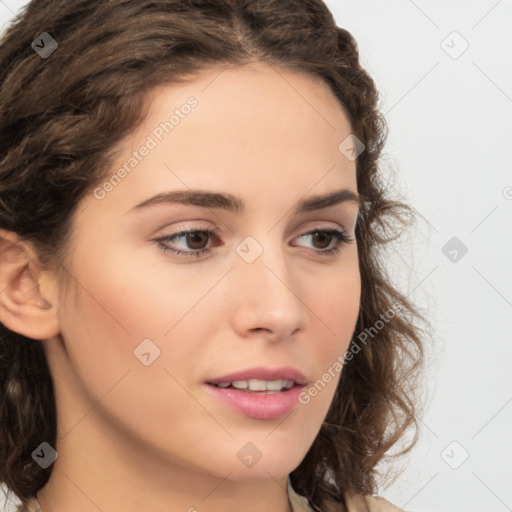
(449, 156)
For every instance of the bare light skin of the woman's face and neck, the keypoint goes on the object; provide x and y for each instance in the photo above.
(133, 437)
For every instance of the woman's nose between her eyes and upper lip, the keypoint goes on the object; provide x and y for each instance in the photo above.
(267, 297)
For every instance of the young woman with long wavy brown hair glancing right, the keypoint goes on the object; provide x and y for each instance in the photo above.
(195, 314)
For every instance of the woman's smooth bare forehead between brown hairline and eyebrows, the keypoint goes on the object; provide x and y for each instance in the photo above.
(254, 129)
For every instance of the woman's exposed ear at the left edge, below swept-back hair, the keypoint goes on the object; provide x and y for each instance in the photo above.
(28, 298)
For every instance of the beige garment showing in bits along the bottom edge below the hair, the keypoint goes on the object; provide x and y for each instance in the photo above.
(299, 503)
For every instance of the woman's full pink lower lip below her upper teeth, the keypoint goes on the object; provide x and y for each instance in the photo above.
(263, 406)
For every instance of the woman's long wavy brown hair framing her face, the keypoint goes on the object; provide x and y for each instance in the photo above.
(60, 117)
